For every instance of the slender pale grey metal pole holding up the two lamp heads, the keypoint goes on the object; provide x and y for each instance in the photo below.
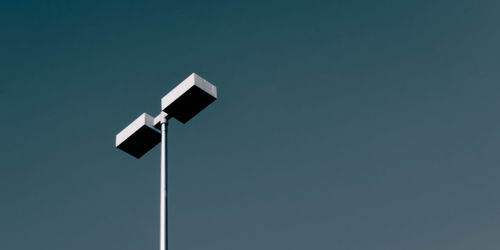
(163, 193)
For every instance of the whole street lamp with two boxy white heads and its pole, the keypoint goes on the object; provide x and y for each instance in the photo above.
(182, 103)
